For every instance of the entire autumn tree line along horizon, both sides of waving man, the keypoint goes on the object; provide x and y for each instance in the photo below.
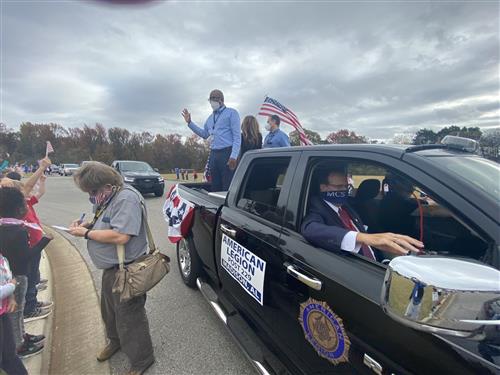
(167, 151)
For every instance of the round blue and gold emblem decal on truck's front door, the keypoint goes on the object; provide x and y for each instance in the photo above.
(324, 331)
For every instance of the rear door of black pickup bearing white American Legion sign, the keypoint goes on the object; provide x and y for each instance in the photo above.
(249, 231)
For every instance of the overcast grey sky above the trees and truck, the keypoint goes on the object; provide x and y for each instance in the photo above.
(376, 68)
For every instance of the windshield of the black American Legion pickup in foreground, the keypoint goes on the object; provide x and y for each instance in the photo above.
(482, 173)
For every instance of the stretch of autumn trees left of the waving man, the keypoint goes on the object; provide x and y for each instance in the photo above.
(74, 145)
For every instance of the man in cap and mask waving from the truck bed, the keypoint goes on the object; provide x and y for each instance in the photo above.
(223, 126)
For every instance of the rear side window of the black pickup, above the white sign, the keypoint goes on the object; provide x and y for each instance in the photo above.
(261, 188)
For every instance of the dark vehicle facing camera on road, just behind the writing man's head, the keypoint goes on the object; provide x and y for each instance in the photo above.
(141, 176)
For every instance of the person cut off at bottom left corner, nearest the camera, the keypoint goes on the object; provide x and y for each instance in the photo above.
(9, 361)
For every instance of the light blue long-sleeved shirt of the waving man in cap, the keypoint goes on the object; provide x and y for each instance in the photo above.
(224, 127)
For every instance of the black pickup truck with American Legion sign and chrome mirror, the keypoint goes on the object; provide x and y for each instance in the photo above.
(296, 308)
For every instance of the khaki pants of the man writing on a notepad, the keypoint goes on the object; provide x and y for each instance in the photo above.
(126, 323)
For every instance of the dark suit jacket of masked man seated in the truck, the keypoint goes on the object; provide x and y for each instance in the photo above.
(322, 226)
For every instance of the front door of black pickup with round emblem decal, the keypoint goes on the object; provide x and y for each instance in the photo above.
(325, 306)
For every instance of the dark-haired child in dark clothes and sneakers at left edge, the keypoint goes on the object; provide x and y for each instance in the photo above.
(14, 245)
